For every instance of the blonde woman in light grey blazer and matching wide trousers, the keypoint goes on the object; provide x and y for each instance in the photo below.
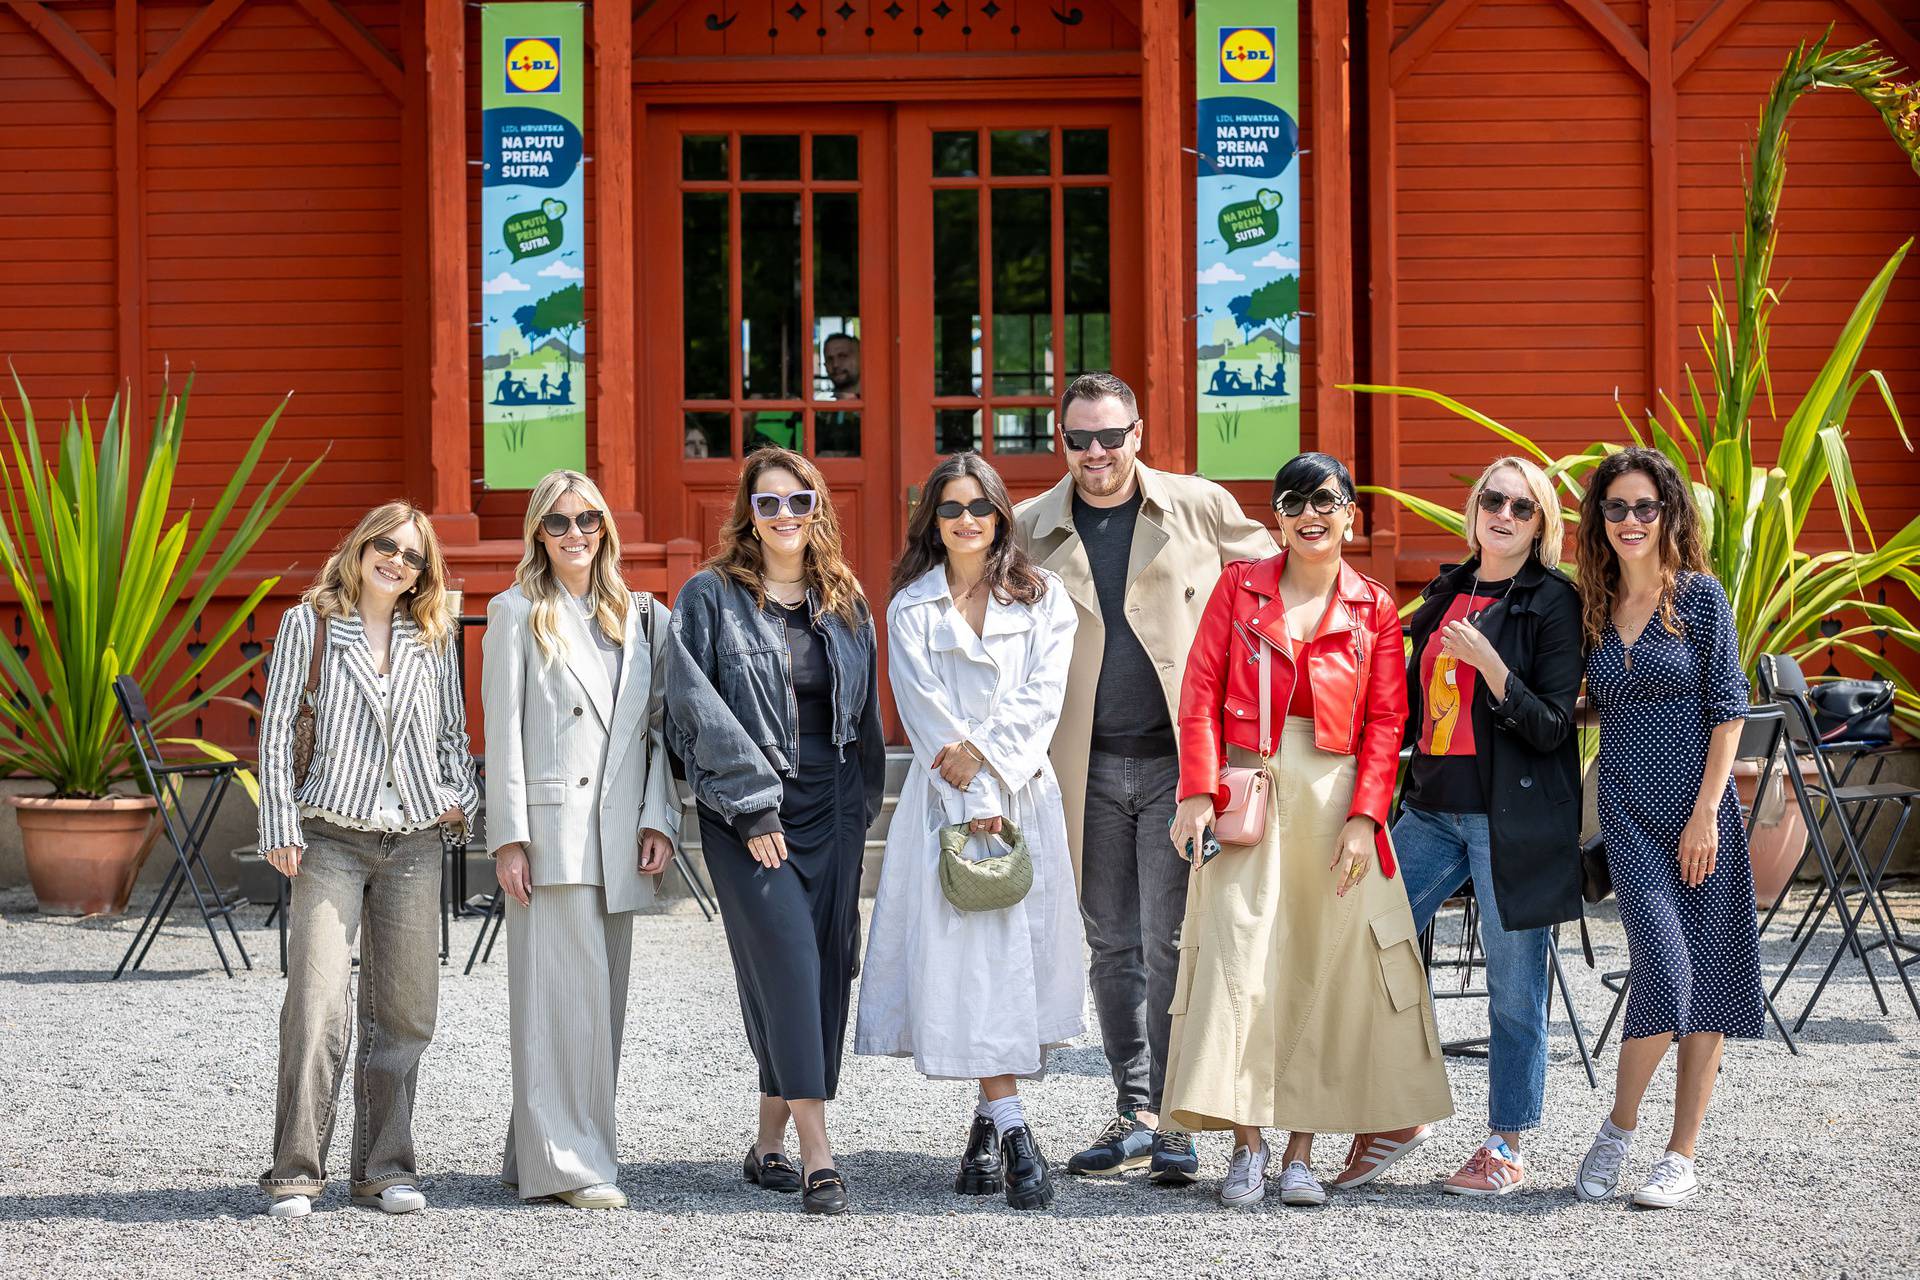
(581, 818)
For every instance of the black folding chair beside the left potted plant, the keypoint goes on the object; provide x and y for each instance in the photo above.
(187, 836)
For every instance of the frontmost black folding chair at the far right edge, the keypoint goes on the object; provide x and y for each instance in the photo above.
(1846, 815)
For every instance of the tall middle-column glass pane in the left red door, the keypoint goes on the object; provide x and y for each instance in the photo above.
(771, 296)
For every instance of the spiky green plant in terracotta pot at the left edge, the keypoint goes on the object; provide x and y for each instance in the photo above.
(108, 584)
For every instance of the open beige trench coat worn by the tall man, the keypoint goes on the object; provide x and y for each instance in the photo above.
(1189, 531)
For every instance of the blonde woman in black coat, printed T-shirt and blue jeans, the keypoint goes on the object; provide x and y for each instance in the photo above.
(1493, 792)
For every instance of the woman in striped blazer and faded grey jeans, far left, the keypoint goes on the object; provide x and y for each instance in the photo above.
(360, 840)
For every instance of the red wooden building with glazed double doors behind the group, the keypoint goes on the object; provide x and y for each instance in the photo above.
(1510, 201)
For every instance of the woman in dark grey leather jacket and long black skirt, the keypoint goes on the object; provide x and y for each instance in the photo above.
(775, 709)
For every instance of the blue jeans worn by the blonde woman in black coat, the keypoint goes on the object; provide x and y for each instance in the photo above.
(1439, 853)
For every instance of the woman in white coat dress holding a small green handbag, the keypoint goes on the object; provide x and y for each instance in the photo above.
(980, 652)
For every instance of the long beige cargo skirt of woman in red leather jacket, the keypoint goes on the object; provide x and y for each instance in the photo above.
(1295, 1008)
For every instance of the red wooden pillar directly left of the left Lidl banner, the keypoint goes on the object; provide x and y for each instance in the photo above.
(450, 410)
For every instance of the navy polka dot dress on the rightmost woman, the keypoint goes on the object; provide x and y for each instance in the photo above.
(1694, 953)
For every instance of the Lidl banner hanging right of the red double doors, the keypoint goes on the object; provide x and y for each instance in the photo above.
(1249, 237)
